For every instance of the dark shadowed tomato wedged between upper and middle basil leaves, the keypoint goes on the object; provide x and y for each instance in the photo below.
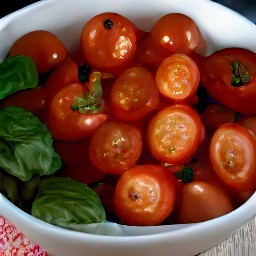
(32, 100)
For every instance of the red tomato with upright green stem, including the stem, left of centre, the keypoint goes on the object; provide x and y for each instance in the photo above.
(74, 117)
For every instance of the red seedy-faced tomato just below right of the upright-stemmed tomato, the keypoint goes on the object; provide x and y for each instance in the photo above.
(115, 147)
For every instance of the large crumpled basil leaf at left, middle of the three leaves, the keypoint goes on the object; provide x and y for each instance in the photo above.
(26, 148)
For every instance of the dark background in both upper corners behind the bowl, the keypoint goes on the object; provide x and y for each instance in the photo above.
(245, 7)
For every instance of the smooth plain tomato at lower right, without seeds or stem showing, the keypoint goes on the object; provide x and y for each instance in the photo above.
(202, 201)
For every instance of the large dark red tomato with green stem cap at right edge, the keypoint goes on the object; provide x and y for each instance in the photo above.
(229, 76)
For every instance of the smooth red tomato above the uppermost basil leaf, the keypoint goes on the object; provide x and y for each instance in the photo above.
(44, 47)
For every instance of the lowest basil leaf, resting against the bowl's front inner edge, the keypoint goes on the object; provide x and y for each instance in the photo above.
(65, 202)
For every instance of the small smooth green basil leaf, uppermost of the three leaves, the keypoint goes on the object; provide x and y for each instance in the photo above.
(17, 73)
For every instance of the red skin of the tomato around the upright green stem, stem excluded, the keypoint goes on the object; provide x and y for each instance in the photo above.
(68, 125)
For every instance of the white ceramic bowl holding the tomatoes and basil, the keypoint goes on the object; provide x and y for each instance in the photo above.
(221, 28)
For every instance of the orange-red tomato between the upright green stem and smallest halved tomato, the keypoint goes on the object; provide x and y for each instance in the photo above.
(133, 95)
